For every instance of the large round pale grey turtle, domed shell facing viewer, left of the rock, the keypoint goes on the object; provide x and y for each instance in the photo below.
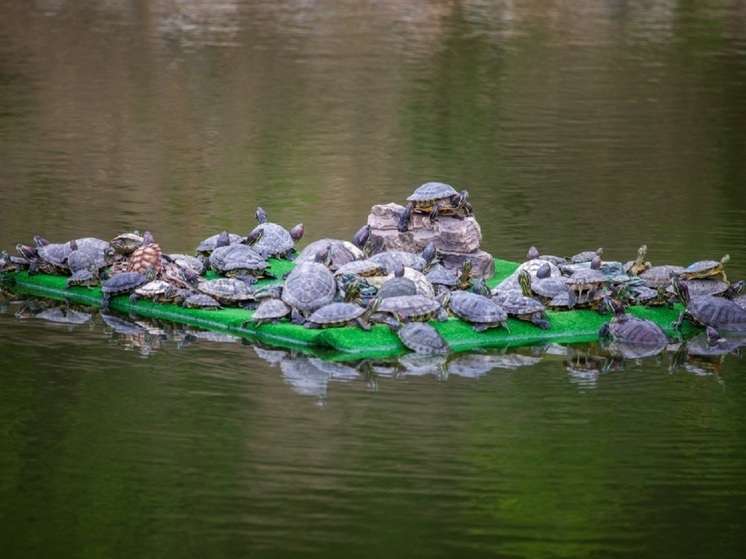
(309, 287)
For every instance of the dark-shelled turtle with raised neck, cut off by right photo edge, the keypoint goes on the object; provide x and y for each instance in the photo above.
(708, 310)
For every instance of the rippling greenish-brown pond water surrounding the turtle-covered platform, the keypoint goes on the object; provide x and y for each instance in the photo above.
(573, 124)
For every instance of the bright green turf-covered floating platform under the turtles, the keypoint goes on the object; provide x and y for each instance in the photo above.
(350, 342)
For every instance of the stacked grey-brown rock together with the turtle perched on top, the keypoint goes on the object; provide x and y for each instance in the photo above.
(435, 212)
